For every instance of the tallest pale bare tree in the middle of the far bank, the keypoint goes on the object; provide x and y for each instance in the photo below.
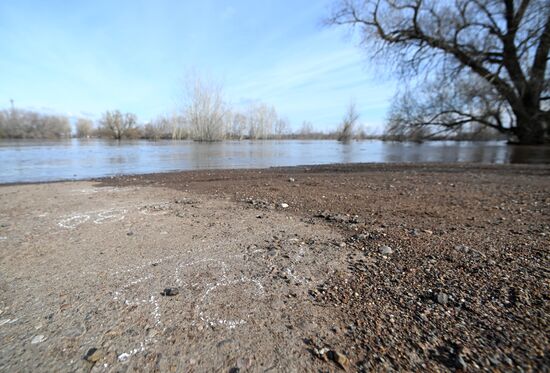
(205, 109)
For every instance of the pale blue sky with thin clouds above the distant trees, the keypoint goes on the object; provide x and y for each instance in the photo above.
(84, 57)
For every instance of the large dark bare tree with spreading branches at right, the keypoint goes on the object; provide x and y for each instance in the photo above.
(497, 49)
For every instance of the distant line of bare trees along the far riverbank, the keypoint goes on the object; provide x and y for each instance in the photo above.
(205, 115)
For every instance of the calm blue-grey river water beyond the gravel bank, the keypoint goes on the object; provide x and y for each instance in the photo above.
(23, 160)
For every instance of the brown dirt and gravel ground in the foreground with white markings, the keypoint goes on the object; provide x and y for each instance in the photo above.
(328, 268)
